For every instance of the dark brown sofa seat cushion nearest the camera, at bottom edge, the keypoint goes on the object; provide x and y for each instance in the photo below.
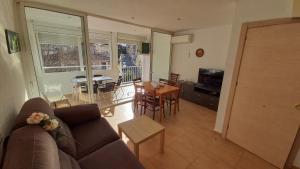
(115, 155)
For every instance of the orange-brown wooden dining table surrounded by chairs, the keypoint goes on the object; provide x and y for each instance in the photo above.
(161, 90)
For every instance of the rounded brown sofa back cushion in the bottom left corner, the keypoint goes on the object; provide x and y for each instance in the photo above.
(31, 147)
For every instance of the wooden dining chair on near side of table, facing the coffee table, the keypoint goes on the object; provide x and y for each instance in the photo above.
(152, 103)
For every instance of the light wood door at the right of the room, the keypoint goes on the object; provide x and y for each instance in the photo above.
(263, 117)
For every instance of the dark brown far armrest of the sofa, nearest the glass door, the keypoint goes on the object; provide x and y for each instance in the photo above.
(76, 115)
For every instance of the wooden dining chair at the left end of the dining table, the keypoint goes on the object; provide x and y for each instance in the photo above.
(139, 95)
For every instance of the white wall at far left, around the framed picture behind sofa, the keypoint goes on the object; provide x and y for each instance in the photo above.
(12, 88)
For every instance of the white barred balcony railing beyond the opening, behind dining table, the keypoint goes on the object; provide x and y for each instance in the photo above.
(131, 72)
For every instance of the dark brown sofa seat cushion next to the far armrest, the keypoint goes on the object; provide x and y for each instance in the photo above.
(93, 135)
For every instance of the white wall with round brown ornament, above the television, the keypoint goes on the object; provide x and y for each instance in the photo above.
(213, 40)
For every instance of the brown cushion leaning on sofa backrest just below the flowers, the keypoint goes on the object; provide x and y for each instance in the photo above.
(66, 142)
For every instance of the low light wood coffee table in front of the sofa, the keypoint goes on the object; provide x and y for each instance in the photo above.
(141, 129)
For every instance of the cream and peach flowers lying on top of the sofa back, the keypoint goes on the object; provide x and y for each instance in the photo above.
(43, 120)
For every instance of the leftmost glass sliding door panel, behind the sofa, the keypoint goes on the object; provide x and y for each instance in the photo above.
(59, 56)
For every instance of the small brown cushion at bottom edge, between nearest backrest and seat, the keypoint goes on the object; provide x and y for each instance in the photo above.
(66, 161)
